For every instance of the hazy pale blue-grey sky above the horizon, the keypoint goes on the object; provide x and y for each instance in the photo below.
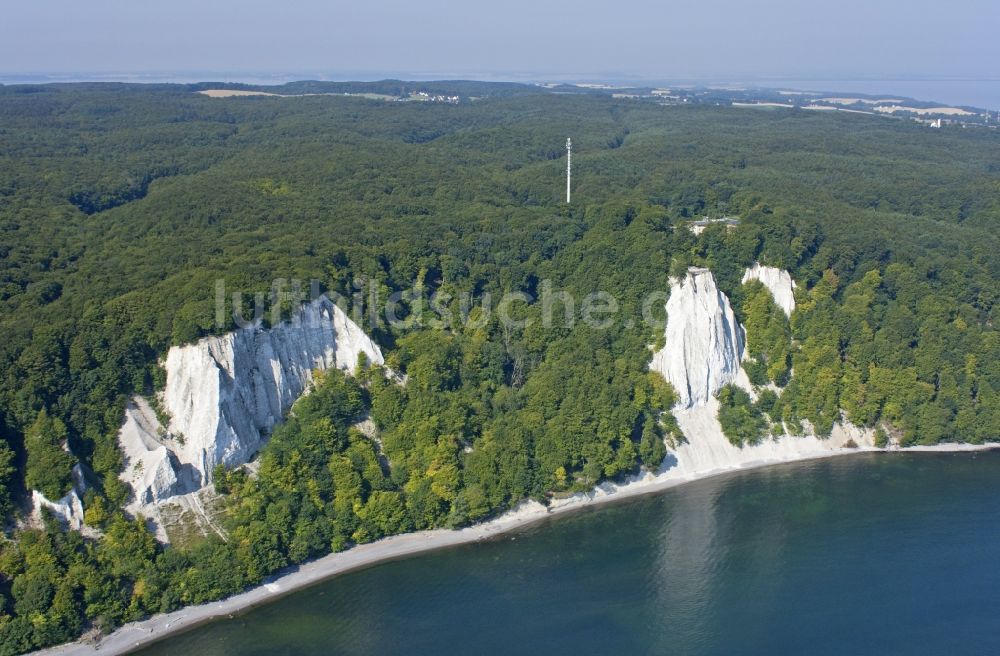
(511, 39)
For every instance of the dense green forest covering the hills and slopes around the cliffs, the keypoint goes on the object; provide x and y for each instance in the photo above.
(122, 205)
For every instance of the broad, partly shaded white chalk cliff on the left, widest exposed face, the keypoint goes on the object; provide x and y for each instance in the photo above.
(224, 395)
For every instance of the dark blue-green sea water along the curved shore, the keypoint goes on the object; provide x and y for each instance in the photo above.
(867, 554)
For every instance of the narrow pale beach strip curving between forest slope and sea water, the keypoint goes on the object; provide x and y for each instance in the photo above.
(135, 635)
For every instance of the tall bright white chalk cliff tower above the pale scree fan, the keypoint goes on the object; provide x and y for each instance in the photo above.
(704, 344)
